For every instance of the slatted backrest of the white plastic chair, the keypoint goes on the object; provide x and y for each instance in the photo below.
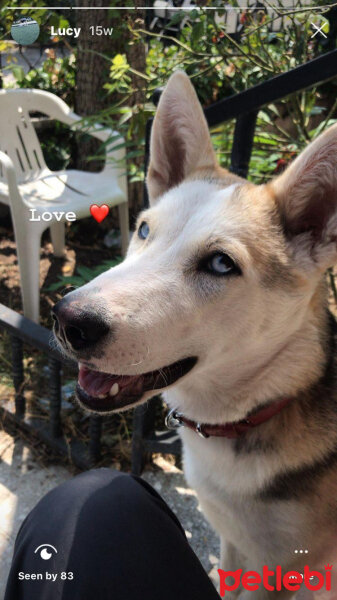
(18, 137)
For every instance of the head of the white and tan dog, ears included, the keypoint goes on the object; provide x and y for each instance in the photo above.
(220, 277)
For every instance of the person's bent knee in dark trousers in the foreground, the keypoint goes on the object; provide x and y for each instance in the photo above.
(116, 539)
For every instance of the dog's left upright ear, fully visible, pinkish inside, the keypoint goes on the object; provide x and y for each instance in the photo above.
(180, 140)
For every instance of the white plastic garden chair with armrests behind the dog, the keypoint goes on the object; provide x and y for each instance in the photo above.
(26, 182)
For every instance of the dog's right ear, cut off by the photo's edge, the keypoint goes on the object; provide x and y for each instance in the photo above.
(306, 195)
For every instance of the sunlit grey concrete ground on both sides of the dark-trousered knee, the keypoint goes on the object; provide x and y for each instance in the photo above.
(24, 480)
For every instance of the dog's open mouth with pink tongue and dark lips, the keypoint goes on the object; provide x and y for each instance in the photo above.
(102, 392)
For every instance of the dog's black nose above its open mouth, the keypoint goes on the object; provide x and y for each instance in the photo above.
(77, 326)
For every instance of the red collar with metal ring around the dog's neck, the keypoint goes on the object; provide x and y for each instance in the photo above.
(175, 419)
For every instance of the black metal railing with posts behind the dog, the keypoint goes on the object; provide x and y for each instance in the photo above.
(243, 107)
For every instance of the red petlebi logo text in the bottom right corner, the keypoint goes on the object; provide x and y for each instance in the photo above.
(291, 580)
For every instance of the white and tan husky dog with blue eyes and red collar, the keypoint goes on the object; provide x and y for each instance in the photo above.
(221, 303)
